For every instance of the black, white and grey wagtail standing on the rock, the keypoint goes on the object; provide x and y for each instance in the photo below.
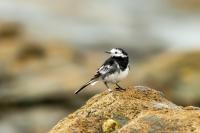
(112, 71)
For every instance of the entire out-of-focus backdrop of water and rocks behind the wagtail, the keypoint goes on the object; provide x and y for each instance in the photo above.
(48, 49)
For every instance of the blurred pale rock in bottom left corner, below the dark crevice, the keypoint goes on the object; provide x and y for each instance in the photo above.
(35, 119)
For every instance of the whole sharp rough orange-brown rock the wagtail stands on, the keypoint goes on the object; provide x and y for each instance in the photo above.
(138, 109)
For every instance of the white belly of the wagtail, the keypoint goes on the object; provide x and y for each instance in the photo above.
(116, 77)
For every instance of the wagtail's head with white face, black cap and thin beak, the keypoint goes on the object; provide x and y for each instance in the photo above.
(117, 52)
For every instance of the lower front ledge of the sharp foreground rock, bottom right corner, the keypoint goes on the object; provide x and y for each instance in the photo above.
(164, 121)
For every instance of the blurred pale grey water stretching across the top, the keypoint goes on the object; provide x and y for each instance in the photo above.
(96, 22)
